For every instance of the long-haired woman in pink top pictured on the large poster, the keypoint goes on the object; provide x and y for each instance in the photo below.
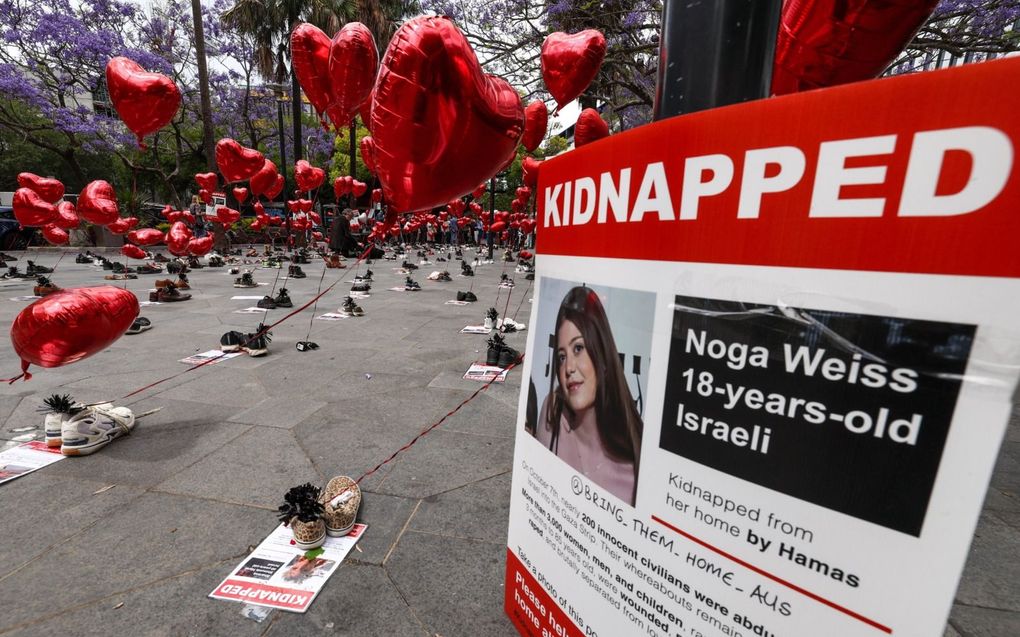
(589, 418)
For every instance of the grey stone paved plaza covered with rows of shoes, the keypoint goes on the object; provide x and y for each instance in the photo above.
(131, 542)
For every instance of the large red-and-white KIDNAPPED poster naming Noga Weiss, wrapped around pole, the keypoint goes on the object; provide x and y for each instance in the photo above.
(773, 357)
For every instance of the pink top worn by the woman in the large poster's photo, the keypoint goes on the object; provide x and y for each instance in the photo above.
(583, 451)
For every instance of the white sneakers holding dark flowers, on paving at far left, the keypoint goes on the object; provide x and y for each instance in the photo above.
(81, 431)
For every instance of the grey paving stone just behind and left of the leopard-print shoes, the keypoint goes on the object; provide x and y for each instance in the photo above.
(256, 469)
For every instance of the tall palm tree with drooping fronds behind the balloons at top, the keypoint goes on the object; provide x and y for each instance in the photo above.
(271, 24)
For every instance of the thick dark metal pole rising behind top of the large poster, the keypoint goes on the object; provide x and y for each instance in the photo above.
(716, 54)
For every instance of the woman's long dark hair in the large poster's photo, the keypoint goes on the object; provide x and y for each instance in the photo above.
(614, 402)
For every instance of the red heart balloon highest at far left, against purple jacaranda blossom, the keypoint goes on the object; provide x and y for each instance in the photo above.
(146, 102)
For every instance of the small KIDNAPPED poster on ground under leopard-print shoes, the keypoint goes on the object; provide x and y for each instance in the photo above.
(279, 575)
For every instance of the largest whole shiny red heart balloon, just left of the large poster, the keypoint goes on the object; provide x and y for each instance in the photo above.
(441, 126)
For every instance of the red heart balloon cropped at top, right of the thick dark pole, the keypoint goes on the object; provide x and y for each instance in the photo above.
(824, 44)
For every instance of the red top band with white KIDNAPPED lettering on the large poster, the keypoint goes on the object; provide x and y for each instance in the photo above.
(903, 175)
